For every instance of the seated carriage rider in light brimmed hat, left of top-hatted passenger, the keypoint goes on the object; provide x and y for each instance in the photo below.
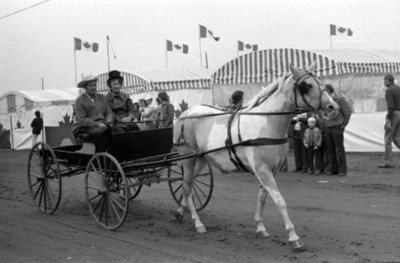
(93, 114)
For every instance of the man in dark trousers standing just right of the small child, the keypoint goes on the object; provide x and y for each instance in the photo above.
(336, 122)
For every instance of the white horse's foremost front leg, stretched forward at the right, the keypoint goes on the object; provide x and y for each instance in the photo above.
(267, 180)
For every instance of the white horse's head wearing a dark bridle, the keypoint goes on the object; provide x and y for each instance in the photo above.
(309, 92)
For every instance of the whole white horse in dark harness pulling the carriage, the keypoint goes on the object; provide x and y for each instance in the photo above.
(262, 124)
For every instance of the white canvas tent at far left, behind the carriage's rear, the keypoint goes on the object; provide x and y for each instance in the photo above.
(17, 112)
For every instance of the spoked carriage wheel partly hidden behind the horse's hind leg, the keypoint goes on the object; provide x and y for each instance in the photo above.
(203, 185)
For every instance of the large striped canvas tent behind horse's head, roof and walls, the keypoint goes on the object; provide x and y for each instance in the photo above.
(357, 74)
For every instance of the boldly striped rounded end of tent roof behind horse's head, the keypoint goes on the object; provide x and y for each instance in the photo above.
(265, 66)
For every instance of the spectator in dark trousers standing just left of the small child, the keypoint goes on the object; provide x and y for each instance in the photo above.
(300, 153)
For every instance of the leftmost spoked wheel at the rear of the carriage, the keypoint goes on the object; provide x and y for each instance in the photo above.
(44, 178)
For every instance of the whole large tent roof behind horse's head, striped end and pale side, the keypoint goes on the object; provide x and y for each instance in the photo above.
(265, 66)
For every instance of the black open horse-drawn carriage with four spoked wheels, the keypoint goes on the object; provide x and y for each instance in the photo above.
(113, 178)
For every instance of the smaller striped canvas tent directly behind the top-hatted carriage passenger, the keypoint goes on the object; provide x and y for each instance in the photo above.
(184, 88)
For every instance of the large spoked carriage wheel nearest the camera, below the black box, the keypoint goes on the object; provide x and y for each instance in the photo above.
(104, 181)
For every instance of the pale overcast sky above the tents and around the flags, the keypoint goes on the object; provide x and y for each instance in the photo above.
(38, 43)
